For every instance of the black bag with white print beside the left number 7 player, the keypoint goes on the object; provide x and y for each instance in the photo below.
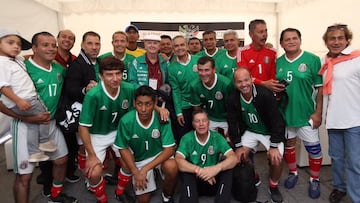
(67, 115)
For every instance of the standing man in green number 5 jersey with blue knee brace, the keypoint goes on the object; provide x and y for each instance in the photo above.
(303, 106)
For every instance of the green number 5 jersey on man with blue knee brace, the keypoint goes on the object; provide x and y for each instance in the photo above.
(302, 75)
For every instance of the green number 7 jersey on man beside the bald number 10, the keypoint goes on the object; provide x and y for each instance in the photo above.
(212, 99)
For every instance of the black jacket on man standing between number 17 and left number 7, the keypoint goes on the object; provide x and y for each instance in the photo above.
(78, 76)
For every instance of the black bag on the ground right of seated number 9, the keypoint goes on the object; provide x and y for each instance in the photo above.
(243, 188)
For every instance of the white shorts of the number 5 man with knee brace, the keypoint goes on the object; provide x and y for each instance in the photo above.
(305, 133)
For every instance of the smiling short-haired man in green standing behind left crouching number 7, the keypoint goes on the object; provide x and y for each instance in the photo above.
(120, 42)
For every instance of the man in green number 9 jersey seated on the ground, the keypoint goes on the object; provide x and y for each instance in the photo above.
(205, 161)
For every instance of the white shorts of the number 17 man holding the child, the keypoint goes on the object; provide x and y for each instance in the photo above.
(19, 131)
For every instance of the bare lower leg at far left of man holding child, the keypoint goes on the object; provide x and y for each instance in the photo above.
(21, 188)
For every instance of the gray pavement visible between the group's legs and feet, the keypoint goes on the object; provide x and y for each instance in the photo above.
(295, 195)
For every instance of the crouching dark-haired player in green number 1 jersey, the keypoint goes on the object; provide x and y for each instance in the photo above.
(146, 143)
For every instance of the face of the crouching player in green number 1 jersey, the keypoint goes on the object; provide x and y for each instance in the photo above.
(144, 106)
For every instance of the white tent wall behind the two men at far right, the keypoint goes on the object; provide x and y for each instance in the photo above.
(313, 17)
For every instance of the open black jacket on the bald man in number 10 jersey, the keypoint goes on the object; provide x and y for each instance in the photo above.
(266, 105)
